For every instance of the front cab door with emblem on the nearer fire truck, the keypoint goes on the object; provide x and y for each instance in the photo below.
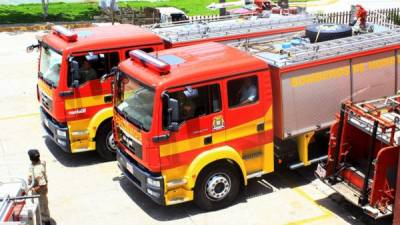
(201, 124)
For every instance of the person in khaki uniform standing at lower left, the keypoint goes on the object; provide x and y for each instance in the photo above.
(37, 175)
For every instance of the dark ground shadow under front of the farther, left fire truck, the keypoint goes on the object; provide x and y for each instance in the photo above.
(72, 160)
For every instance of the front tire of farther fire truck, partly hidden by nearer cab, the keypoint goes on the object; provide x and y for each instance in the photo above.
(105, 145)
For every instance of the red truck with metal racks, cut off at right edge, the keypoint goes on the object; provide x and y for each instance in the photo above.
(363, 154)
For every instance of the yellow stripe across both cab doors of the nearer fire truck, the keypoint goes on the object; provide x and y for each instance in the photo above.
(243, 130)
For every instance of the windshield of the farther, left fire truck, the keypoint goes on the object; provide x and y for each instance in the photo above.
(50, 63)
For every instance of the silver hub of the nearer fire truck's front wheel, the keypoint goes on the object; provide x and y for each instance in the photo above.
(218, 186)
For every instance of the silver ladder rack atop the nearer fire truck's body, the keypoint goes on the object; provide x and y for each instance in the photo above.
(307, 52)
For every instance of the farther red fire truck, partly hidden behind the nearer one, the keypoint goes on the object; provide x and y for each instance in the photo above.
(76, 107)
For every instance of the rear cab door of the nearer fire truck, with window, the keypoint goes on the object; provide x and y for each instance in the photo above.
(246, 110)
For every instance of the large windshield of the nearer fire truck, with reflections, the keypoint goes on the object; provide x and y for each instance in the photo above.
(135, 102)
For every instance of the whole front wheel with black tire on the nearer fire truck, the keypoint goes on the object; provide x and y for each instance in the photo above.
(216, 187)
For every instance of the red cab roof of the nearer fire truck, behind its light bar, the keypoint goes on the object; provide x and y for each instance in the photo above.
(195, 64)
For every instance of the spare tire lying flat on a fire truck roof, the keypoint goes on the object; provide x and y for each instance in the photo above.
(327, 32)
